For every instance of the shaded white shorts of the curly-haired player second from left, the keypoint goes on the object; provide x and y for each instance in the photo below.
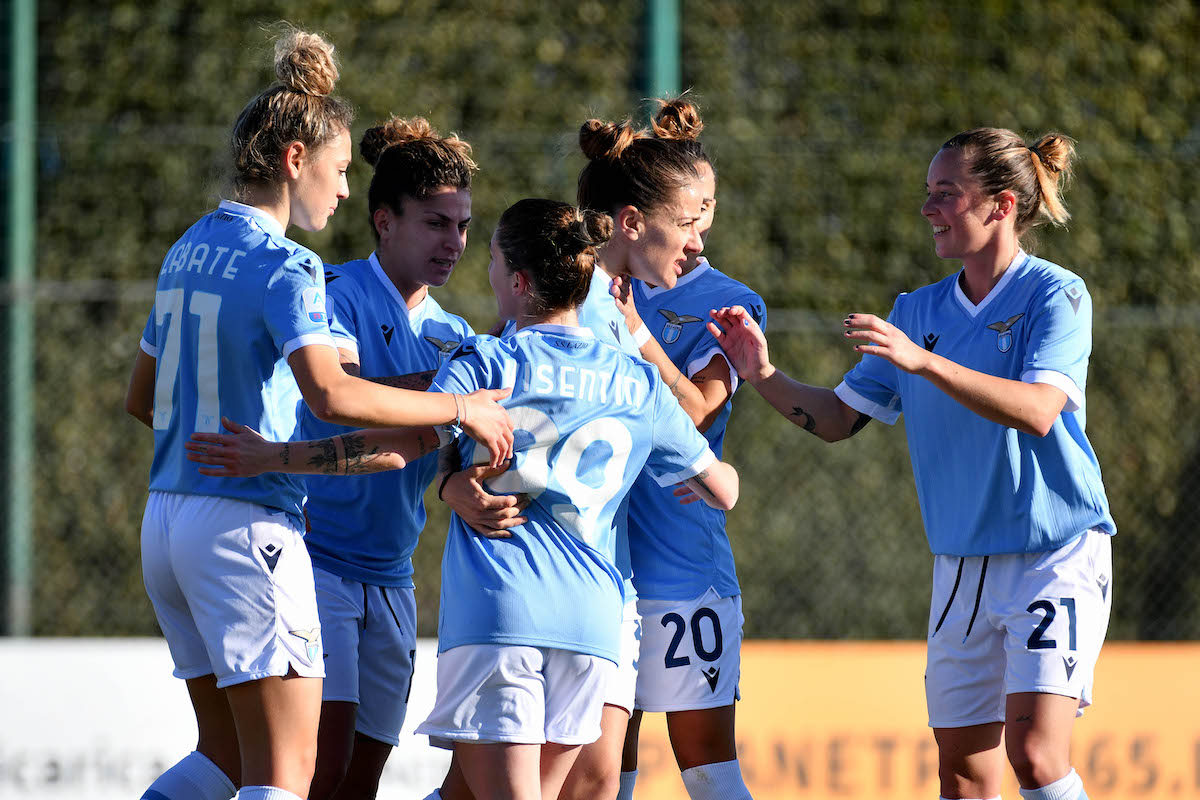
(370, 635)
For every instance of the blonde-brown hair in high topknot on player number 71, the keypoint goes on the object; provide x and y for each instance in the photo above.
(299, 109)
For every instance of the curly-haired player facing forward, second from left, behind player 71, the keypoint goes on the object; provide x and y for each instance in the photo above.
(389, 330)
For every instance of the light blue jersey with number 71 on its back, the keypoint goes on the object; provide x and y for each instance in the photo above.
(236, 298)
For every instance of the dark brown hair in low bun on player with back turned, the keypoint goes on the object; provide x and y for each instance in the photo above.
(555, 244)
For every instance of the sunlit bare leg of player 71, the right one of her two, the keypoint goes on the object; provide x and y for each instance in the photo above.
(278, 720)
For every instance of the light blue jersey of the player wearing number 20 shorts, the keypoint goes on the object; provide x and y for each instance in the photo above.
(679, 552)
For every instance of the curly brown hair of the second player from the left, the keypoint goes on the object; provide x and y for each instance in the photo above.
(411, 160)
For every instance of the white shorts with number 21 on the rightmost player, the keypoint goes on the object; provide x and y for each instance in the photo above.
(1023, 623)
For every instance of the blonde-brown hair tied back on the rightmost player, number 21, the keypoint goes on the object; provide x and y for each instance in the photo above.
(1000, 160)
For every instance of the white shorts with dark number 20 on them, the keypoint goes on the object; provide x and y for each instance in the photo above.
(692, 653)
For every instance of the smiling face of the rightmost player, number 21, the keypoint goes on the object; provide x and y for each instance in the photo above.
(961, 214)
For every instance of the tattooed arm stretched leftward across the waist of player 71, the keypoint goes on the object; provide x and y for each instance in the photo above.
(243, 453)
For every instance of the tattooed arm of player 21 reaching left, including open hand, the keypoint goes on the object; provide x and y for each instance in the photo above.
(817, 410)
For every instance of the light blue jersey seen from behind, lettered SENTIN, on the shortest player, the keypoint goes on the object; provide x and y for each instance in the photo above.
(587, 419)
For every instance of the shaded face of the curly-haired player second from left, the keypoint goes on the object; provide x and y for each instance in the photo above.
(422, 245)
